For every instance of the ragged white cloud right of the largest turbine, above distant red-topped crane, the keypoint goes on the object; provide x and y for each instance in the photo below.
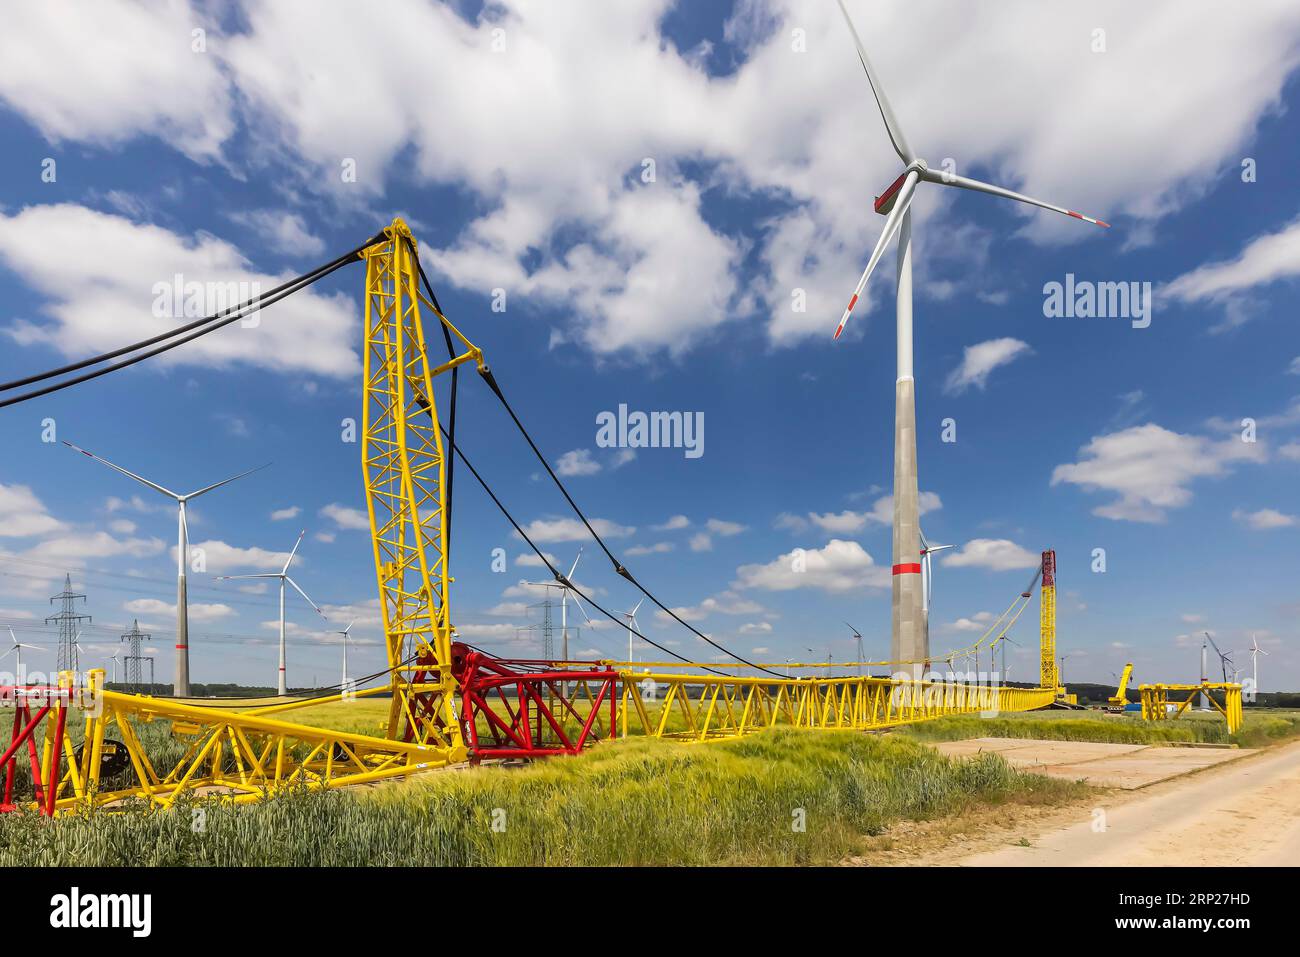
(1150, 469)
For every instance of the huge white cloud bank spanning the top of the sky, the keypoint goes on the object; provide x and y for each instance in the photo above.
(1019, 93)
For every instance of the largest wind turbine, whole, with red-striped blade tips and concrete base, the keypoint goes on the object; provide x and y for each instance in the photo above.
(911, 642)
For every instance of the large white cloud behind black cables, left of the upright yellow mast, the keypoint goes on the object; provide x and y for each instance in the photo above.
(102, 292)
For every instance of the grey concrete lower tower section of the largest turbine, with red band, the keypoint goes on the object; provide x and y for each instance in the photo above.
(909, 626)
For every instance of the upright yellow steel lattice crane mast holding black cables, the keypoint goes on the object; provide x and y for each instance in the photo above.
(405, 471)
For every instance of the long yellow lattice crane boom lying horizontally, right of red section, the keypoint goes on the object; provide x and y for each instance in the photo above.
(694, 708)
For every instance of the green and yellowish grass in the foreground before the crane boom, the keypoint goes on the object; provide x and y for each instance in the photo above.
(775, 798)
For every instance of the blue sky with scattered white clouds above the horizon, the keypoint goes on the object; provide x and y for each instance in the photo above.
(515, 140)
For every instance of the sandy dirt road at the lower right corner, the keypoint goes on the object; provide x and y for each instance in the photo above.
(1245, 813)
